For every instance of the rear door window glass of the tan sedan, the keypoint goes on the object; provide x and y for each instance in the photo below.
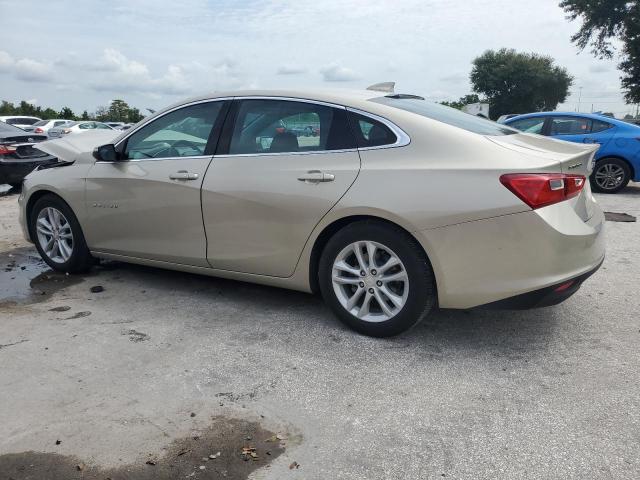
(281, 126)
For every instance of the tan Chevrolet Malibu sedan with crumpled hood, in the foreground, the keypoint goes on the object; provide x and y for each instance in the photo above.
(397, 206)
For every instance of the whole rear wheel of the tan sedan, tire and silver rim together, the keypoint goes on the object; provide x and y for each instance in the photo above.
(338, 260)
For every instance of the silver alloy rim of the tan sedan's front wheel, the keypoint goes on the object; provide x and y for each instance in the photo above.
(54, 234)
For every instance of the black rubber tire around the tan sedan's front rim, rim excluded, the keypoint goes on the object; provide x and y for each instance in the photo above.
(80, 259)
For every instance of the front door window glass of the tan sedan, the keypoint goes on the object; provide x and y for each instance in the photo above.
(181, 133)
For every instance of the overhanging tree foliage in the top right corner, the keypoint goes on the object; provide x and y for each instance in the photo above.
(604, 20)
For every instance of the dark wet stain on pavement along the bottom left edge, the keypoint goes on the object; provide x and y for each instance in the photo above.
(225, 440)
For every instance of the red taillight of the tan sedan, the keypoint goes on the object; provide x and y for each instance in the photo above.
(542, 189)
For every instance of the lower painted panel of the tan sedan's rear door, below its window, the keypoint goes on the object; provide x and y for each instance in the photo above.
(258, 215)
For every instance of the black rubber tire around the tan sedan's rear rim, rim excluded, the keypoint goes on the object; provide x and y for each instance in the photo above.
(422, 291)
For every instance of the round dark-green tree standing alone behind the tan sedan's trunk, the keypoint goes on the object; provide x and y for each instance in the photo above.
(515, 82)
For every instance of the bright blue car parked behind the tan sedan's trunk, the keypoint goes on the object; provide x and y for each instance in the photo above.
(617, 159)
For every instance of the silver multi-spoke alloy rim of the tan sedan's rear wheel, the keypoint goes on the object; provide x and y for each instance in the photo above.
(370, 281)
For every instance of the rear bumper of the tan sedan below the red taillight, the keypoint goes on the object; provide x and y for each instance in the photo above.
(501, 258)
